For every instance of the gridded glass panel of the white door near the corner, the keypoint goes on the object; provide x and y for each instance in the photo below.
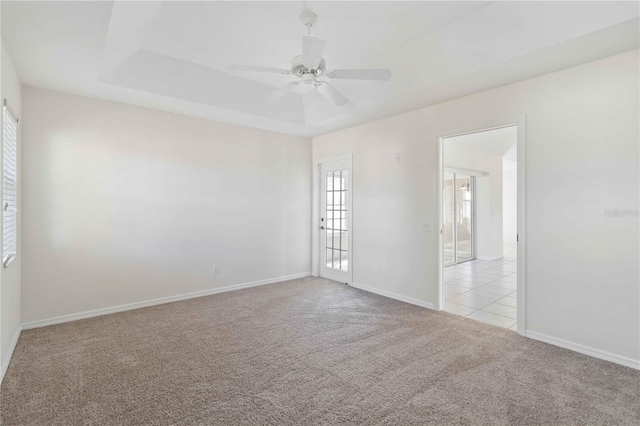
(336, 214)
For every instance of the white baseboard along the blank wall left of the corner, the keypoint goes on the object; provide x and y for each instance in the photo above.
(169, 299)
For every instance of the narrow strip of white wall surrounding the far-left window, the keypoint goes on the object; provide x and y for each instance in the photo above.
(10, 276)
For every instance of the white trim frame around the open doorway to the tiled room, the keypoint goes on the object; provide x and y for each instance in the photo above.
(520, 122)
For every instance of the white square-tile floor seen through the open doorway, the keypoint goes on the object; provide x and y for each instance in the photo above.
(483, 290)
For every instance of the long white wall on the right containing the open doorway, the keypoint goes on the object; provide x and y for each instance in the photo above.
(582, 137)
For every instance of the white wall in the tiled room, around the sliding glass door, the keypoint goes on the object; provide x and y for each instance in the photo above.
(488, 201)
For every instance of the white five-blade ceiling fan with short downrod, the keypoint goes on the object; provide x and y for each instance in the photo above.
(310, 66)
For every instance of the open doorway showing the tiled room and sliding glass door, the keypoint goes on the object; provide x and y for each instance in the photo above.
(480, 225)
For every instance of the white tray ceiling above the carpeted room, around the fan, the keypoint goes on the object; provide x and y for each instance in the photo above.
(174, 56)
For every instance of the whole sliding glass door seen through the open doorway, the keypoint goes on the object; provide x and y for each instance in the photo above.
(458, 227)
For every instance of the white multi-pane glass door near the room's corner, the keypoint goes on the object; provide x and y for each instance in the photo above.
(335, 221)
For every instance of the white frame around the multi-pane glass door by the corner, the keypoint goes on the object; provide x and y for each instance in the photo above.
(315, 215)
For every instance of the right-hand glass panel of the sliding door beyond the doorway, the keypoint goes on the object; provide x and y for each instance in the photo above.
(464, 218)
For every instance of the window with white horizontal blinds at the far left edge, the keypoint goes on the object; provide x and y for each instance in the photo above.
(9, 185)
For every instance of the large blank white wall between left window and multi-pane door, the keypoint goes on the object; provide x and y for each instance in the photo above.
(124, 204)
